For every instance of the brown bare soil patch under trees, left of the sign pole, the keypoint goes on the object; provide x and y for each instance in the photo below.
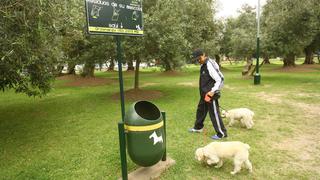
(77, 81)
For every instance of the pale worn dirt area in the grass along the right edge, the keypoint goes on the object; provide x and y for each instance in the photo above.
(303, 145)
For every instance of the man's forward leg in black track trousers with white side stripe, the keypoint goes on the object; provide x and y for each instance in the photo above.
(216, 119)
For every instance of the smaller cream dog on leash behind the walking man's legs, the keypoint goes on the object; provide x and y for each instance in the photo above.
(244, 115)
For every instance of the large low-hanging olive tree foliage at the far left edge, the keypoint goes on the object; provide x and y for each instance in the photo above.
(29, 47)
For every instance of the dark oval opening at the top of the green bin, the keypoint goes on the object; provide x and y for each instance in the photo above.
(147, 110)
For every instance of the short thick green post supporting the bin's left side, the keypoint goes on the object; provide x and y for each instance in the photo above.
(123, 156)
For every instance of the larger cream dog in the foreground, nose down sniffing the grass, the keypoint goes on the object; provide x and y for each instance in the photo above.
(215, 152)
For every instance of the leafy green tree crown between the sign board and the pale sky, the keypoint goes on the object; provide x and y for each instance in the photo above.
(173, 29)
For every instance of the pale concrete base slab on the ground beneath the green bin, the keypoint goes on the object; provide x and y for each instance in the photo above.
(152, 172)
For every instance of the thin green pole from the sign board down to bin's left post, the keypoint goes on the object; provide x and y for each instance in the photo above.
(119, 58)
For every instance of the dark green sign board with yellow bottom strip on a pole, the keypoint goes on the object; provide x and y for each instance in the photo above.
(114, 17)
